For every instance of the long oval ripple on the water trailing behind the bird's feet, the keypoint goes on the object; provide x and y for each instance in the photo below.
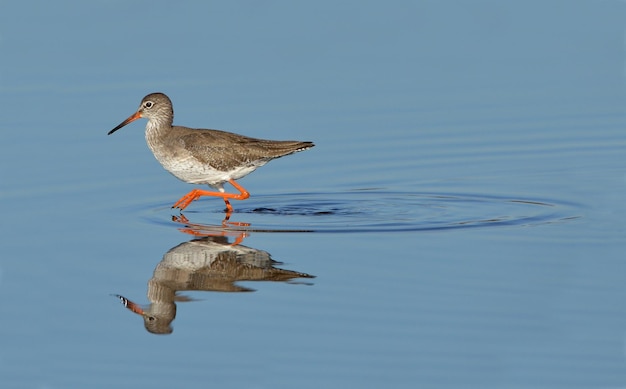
(375, 210)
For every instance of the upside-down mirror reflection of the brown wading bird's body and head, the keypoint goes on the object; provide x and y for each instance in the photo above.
(206, 264)
